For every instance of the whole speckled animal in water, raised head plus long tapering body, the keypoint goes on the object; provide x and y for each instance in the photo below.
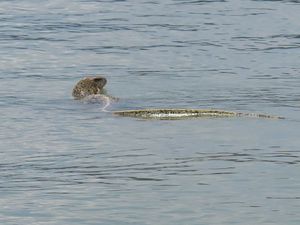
(92, 88)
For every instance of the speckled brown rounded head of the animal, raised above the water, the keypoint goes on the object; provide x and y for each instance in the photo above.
(89, 86)
